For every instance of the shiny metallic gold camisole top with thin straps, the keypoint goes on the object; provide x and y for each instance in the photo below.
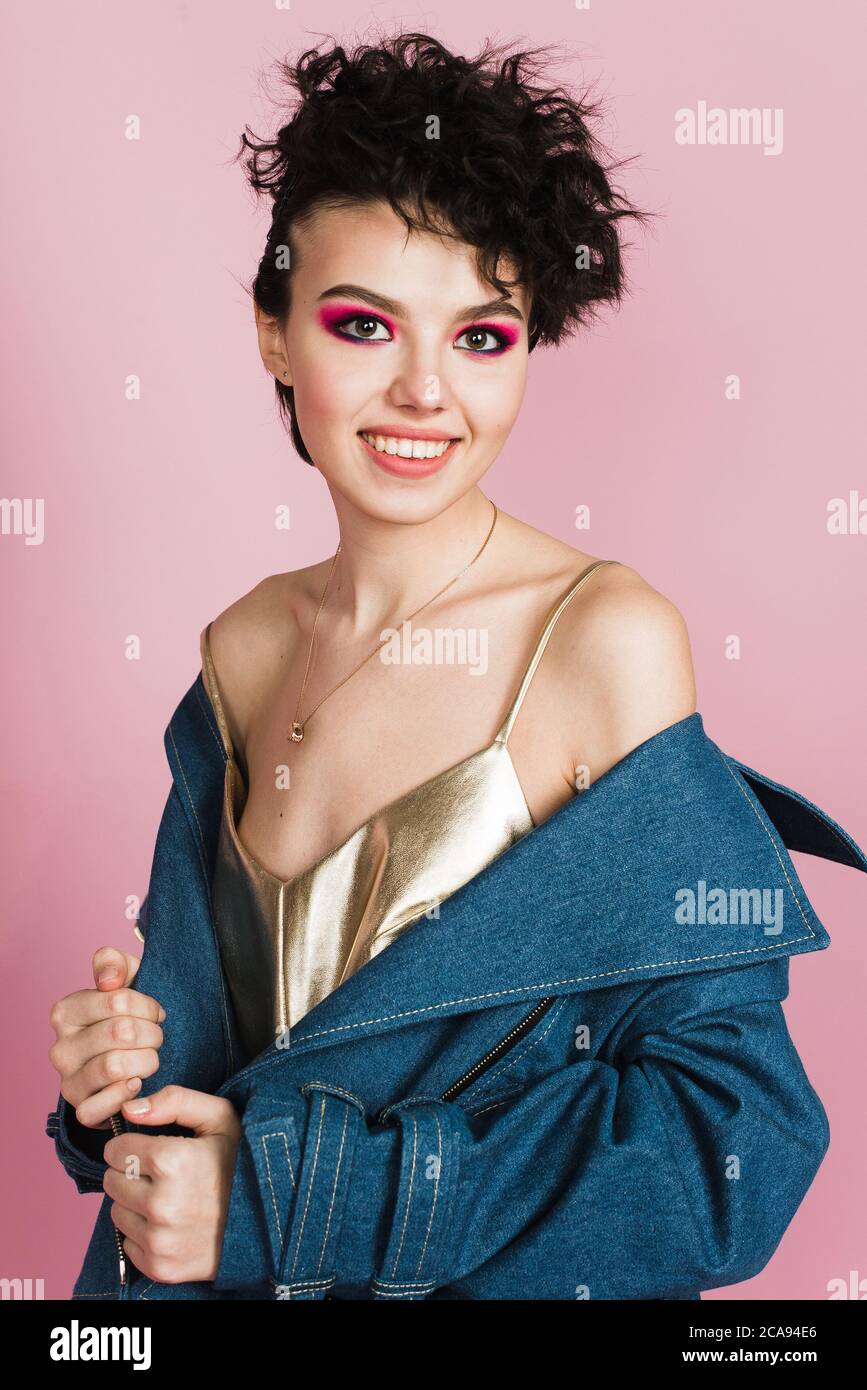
(288, 945)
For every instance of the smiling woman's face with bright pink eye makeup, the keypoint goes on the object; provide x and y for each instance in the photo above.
(394, 338)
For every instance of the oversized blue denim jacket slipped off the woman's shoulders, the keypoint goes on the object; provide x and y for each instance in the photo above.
(575, 1082)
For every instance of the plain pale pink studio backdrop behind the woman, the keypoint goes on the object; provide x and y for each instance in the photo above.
(127, 258)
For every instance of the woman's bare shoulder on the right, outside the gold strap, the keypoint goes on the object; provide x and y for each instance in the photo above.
(625, 667)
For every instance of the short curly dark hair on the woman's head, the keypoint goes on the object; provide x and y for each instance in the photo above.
(508, 166)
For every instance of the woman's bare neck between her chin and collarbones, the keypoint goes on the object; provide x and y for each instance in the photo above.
(387, 569)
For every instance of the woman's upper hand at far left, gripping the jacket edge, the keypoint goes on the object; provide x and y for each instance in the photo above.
(108, 1039)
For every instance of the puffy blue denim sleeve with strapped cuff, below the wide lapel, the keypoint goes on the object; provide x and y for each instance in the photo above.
(675, 1164)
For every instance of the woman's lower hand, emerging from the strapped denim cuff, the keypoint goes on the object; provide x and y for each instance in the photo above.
(172, 1196)
